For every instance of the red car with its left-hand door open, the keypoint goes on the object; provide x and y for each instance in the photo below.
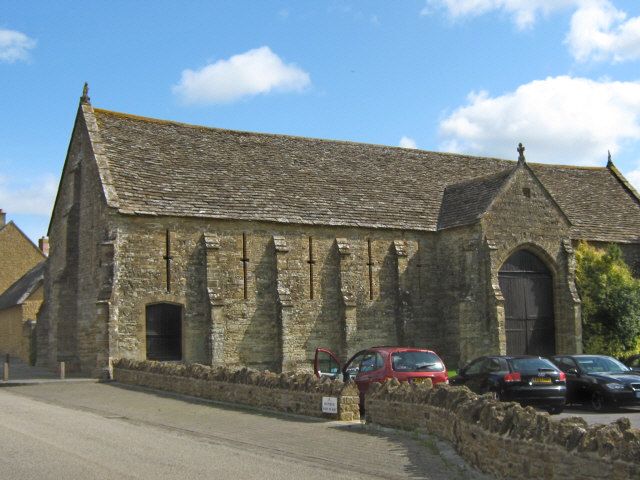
(377, 364)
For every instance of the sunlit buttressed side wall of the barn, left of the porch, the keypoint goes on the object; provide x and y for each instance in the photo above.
(278, 326)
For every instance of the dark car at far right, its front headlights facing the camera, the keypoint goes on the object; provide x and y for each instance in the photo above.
(599, 381)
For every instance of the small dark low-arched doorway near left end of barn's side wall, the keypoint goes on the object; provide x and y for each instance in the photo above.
(164, 331)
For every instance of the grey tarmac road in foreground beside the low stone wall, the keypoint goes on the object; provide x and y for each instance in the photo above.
(105, 431)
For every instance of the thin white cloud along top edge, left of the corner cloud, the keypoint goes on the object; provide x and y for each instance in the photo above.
(524, 12)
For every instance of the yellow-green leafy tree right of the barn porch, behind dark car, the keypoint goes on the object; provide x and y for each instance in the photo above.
(610, 301)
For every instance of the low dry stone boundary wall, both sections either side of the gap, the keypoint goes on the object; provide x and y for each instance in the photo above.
(500, 438)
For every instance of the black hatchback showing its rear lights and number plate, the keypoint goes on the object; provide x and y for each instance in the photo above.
(527, 380)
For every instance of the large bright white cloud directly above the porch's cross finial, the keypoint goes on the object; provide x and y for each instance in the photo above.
(559, 120)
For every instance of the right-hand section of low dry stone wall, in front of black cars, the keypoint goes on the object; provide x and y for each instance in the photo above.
(505, 439)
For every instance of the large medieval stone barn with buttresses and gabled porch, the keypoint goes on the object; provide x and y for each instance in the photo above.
(178, 242)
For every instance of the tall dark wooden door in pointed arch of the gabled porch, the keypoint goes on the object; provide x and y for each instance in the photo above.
(527, 287)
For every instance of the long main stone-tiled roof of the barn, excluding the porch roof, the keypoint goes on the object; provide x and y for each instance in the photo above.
(153, 167)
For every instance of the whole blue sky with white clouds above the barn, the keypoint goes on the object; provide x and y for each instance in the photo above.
(472, 76)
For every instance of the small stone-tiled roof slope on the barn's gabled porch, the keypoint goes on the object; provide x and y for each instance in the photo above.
(465, 202)
